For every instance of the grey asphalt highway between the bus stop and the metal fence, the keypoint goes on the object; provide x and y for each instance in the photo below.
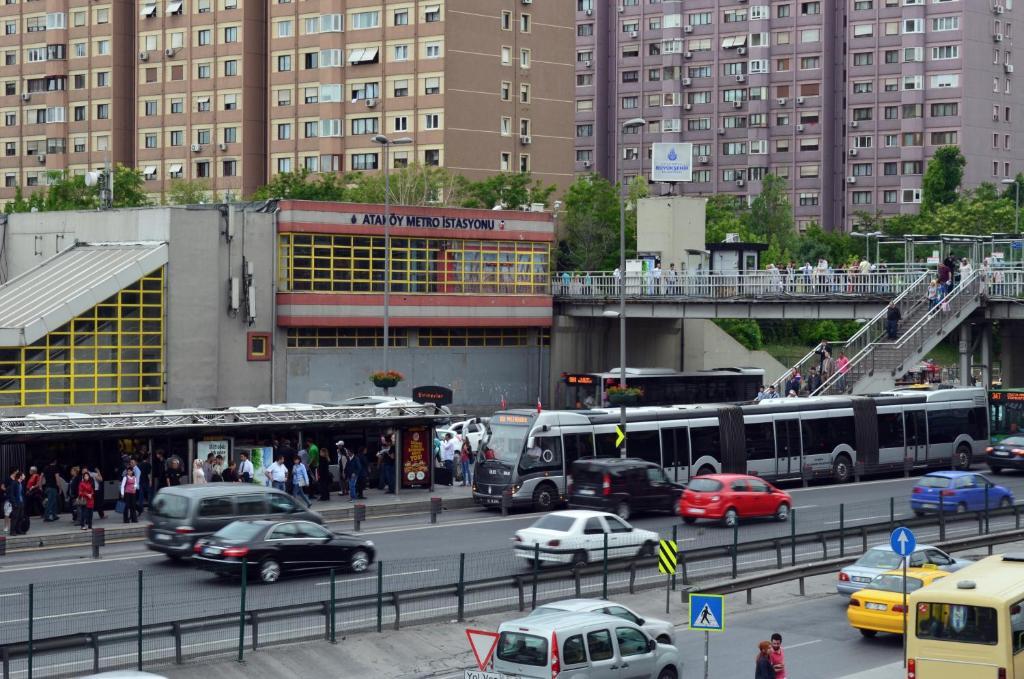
(74, 593)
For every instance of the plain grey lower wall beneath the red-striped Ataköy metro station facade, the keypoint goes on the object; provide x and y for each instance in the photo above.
(479, 376)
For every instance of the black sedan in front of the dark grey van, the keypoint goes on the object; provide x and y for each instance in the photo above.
(272, 548)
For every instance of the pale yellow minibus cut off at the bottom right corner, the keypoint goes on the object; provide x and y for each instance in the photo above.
(970, 624)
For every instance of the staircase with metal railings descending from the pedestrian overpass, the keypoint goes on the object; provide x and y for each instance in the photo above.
(879, 361)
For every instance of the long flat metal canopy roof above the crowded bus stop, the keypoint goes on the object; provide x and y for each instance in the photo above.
(196, 420)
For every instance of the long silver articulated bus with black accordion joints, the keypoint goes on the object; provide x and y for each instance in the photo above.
(782, 439)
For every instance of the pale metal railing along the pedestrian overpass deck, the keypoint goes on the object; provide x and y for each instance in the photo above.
(583, 286)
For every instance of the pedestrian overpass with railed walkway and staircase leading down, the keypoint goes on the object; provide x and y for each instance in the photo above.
(876, 362)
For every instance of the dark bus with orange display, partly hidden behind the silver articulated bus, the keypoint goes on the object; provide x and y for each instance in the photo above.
(664, 388)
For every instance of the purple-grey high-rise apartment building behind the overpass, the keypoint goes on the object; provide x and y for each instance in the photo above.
(845, 100)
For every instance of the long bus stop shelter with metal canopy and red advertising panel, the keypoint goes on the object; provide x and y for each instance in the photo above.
(177, 439)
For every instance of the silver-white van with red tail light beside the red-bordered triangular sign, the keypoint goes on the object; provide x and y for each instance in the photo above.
(573, 646)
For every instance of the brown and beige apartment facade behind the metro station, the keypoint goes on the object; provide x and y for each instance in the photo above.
(235, 92)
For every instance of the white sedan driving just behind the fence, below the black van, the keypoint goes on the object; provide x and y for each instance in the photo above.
(577, 537)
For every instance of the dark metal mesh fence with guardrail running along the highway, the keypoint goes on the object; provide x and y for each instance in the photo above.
(150, 620)
